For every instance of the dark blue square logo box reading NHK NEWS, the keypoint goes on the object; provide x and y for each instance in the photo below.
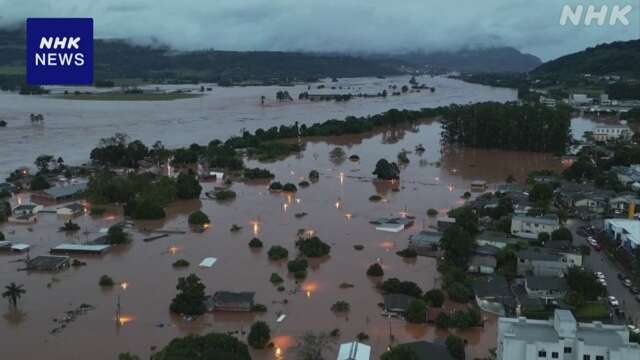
(60, 51)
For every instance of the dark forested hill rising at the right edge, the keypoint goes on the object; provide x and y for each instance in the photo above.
(621, 58)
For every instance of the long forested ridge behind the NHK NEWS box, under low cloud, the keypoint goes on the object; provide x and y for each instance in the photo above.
(117, 59)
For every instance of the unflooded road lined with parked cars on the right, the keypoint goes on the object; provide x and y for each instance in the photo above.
(598, 261)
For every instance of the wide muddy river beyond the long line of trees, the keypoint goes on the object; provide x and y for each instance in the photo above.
(72, 128)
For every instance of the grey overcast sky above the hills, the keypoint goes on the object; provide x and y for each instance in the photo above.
(336, 25)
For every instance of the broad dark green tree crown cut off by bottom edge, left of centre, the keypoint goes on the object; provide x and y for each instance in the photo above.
(212, 346)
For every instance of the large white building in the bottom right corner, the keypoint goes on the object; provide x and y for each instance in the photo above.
(563, 338)
